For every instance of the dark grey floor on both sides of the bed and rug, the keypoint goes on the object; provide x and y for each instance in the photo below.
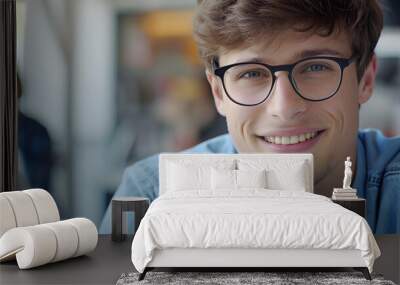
(110, 259)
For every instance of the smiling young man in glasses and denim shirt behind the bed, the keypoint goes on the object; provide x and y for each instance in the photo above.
(290, 76)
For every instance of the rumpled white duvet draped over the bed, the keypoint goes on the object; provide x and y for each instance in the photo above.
(250, 219)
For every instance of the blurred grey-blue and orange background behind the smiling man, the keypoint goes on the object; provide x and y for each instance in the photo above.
(105, 83)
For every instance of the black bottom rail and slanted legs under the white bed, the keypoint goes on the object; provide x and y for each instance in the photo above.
(363, 270)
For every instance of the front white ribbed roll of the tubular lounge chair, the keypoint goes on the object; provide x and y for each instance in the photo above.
(40, 244)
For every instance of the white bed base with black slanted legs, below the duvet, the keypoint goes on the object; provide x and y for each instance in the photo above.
(256, 260)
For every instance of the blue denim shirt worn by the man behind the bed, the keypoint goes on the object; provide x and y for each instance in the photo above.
(377, 178)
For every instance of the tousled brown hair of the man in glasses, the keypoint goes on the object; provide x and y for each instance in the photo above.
(229, 24)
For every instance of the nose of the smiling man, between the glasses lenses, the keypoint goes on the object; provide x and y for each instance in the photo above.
(283, 102)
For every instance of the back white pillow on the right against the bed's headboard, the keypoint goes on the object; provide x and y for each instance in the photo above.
(281, 174)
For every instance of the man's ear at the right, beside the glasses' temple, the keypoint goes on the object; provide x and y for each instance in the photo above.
(367, 82)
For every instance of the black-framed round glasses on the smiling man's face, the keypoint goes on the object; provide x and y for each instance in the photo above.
(314, 78)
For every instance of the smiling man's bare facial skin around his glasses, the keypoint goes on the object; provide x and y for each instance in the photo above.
(327, 129)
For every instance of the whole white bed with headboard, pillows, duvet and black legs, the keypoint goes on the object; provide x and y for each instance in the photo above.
(247, 210)
